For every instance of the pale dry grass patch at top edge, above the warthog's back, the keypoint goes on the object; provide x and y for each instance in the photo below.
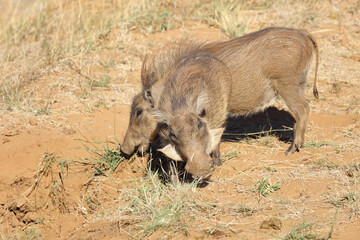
(236, 17)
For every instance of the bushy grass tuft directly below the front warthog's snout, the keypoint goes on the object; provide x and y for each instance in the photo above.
(157, 206)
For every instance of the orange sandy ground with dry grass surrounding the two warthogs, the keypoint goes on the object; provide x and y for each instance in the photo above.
(65, 63)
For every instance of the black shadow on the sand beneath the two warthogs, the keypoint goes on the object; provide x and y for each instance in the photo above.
(271, 122)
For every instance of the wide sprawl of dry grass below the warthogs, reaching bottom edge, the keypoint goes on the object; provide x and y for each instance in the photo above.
(147, 206)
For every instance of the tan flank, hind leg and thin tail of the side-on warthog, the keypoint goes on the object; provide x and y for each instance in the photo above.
(262, 64)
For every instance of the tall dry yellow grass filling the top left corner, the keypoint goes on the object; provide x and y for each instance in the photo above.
(40, 36)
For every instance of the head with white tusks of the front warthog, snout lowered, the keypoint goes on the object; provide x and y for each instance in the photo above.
(190, 140)
